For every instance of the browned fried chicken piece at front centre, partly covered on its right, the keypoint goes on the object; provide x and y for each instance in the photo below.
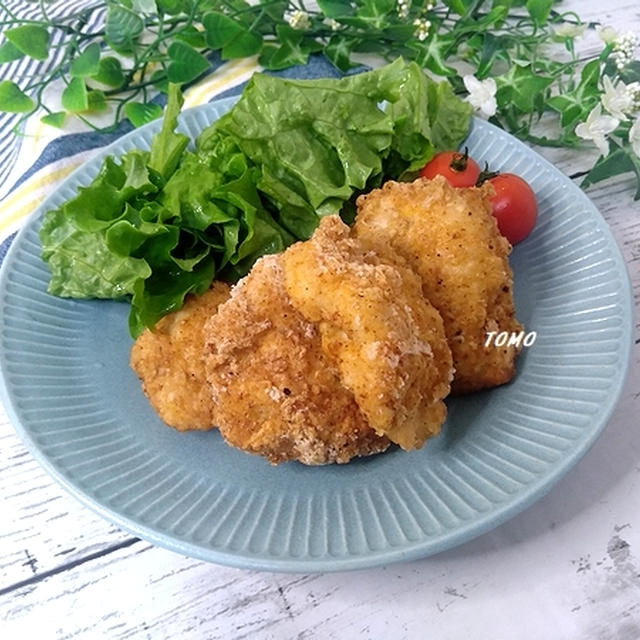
(275, 392)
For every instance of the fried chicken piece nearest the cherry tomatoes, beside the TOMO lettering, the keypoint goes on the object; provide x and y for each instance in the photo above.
(450, 238)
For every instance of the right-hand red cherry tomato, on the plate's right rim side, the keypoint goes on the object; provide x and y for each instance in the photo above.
(514, 206)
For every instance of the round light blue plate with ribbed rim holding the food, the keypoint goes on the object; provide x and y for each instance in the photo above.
(78, 406)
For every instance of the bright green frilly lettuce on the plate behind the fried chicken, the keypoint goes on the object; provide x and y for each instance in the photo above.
(156, 225)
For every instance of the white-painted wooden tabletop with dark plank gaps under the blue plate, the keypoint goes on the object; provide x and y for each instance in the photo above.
(568, 567)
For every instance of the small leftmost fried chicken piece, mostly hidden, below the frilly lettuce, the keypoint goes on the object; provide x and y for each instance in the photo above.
(168, 360)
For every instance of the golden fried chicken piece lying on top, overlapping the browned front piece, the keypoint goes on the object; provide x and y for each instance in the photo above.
(386, 341)
